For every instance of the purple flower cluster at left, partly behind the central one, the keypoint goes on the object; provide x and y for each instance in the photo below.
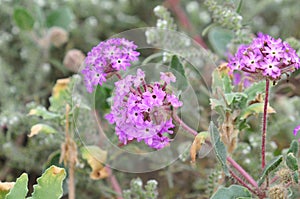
(106, 58)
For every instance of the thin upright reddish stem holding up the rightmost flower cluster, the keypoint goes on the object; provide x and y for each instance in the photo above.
(264, 129)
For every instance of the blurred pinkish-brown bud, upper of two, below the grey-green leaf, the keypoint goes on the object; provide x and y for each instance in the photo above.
(58, 36)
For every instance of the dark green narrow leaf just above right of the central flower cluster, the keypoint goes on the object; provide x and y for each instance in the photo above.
(178, 67)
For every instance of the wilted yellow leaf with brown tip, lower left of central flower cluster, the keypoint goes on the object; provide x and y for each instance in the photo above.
(95, 158)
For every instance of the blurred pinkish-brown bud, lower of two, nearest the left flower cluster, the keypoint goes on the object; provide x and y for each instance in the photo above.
(73, 60)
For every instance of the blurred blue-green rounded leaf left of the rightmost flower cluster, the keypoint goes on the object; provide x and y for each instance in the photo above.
(219, 38)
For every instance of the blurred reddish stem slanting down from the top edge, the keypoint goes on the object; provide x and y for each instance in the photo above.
(174, 5)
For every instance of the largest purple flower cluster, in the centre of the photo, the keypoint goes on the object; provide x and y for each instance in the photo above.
(143, 111)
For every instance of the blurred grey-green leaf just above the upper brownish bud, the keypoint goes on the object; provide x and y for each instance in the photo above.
(61, 17)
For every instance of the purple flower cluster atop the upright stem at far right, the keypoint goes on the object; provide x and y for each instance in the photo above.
(267, 56)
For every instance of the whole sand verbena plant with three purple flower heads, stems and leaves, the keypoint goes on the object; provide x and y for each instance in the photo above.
(145, 112)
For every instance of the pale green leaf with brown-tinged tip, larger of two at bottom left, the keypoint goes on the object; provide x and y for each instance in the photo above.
(49, 184)
